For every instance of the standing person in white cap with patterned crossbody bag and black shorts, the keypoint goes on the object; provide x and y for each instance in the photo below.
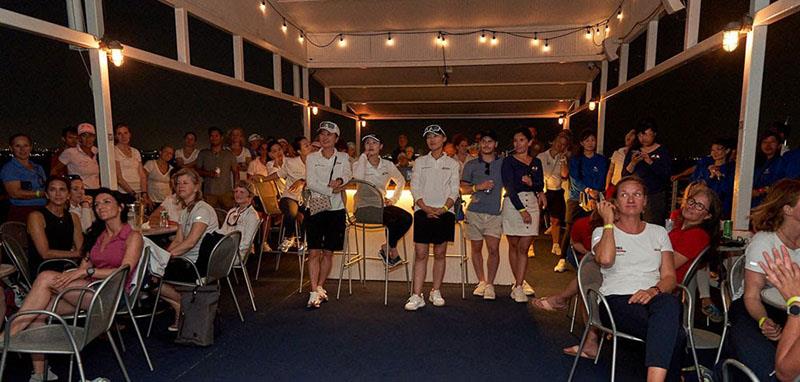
(328, 171)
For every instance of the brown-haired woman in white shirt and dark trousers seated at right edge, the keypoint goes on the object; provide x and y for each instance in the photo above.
(757, 327)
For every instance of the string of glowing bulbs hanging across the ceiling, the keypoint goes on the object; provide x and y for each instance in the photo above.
(485, 35)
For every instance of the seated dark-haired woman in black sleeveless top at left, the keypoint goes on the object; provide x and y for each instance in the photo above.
(53, 232)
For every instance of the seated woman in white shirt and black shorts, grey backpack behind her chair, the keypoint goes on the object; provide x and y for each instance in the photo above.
(197, 220)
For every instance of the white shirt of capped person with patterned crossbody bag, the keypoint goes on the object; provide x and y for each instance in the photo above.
(319, 175)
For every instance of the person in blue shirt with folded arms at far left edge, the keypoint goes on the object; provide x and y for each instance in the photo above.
(23, 179)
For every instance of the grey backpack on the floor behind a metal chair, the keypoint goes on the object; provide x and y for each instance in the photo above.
(198, 315)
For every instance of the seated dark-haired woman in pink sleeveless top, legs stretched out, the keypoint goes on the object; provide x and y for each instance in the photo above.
(111, 244)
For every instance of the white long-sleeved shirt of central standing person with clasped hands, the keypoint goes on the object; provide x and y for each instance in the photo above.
(435, 180)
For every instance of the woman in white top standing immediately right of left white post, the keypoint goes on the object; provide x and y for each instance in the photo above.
(131, 177)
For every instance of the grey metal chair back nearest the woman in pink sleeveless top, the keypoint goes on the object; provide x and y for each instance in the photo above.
(104, 304)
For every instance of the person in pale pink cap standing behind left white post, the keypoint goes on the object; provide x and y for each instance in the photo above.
(82, 159)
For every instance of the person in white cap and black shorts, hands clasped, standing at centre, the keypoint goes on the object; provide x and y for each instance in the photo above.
(434, 187)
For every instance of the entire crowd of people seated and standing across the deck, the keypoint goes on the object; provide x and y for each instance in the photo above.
(615, 209)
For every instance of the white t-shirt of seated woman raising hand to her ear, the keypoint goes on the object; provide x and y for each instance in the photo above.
(638, 261)
